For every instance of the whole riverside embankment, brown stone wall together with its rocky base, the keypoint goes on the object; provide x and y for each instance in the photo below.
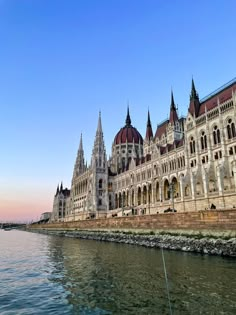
(210, 232)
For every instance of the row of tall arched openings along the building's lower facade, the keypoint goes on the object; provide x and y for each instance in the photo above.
(190, 186)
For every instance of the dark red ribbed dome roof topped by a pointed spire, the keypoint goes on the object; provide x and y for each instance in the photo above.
(128, 133)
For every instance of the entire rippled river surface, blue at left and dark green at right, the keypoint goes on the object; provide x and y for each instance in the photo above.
(43, 274)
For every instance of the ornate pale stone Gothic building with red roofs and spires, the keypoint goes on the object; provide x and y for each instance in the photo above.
(188, 163)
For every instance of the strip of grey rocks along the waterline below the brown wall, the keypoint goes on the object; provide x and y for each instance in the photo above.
(198, 243)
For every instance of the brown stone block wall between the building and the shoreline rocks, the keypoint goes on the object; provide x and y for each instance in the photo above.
(199, 220)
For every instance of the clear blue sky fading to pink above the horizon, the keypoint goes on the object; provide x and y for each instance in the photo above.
(63, 61)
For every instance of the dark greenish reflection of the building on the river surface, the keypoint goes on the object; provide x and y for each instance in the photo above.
(106, 278)
